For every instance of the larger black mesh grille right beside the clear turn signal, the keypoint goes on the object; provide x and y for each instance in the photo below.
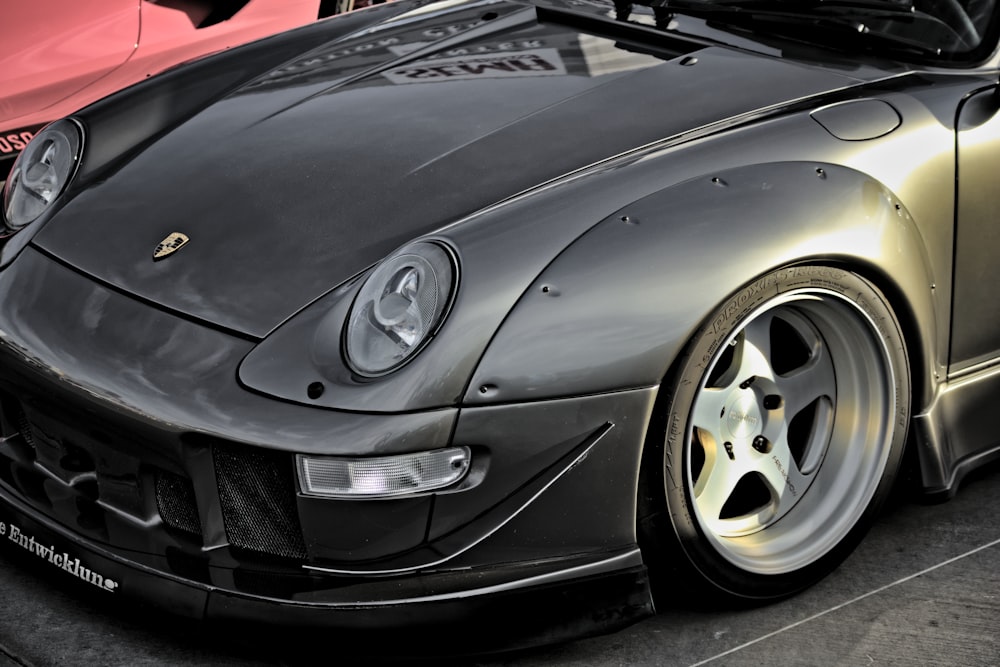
(257, 493)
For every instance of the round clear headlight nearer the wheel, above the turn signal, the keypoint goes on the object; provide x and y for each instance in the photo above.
(399, 308)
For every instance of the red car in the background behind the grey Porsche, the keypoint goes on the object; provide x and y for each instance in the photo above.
(59, 56)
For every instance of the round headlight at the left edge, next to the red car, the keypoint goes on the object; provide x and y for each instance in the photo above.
(41, 172)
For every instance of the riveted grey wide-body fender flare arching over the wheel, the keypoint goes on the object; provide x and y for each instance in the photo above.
(617, 307)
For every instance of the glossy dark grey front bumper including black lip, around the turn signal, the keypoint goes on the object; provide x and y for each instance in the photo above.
(134, 462)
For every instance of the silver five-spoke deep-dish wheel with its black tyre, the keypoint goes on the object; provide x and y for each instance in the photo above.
(781, 432)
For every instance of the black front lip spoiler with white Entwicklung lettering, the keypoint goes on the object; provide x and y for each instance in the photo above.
(577, 601)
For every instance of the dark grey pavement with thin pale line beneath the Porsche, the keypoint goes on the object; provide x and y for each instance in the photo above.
(922, 589)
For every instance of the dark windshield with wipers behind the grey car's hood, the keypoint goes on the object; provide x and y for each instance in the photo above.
(938, 31)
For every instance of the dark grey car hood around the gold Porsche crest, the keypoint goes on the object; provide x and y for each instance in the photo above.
(301, 178)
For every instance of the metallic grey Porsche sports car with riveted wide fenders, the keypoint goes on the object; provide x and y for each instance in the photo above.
(440, 311)
